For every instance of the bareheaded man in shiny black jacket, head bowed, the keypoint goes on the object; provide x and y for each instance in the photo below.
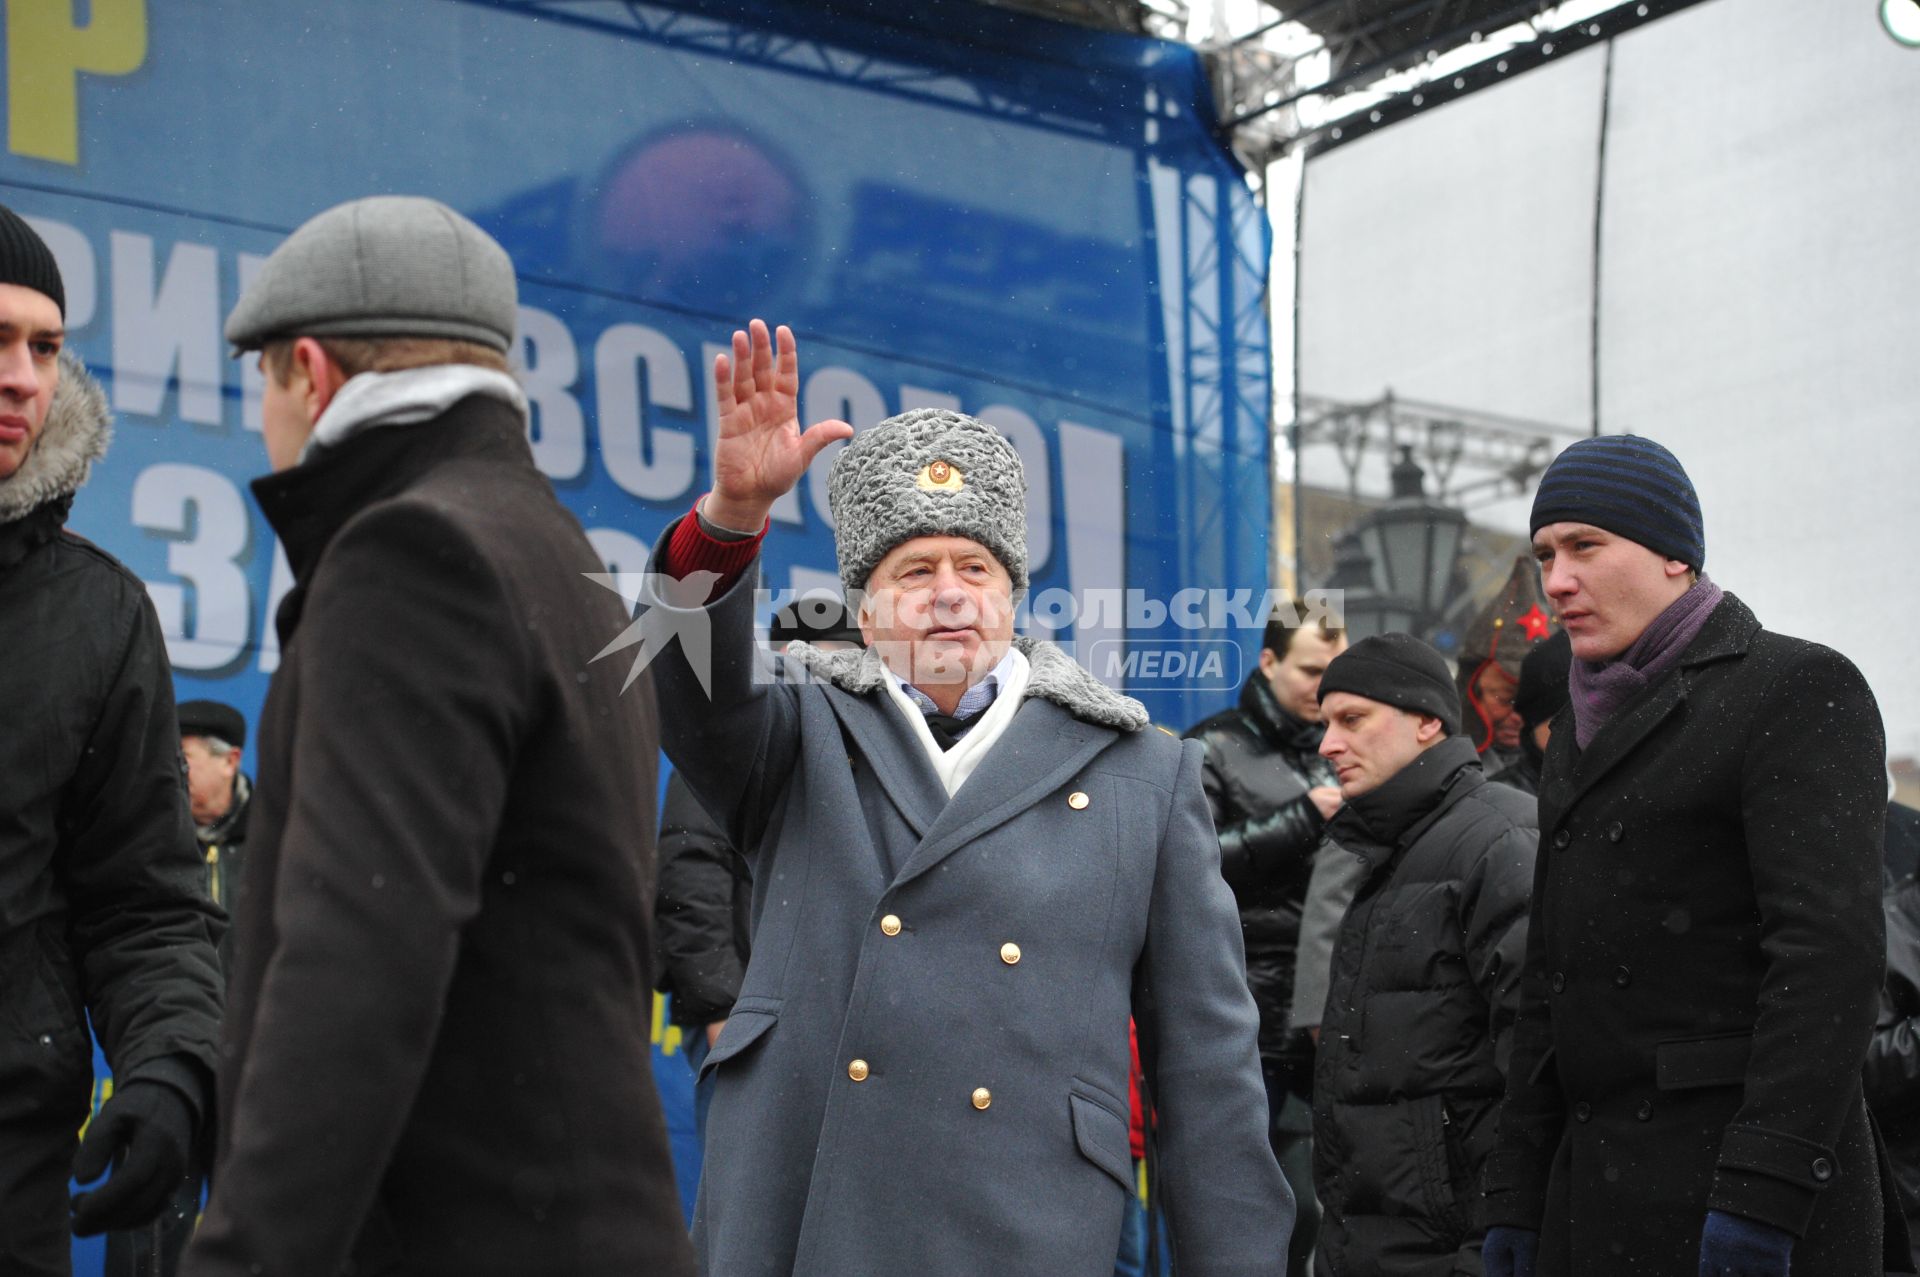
(1272, 796)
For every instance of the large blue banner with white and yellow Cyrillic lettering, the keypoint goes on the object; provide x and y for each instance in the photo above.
(949, 205)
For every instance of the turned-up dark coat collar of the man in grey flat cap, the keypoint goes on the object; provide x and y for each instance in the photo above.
(308, 504)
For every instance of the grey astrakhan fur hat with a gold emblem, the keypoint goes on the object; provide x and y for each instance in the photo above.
(928, 473)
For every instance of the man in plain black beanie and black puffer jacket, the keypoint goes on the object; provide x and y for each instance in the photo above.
(1426, 969)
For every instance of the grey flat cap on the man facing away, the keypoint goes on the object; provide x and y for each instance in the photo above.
(387, 266)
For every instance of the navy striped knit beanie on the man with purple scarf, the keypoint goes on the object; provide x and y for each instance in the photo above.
(1629, 487)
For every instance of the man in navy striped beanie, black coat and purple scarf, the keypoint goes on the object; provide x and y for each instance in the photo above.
(1706, 942)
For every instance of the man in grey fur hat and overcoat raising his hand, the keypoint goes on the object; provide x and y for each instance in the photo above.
(972, 865)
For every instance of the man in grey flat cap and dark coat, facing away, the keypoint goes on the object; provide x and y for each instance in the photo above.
(437, 1038)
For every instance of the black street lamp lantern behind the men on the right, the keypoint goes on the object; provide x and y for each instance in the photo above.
(1397, 562)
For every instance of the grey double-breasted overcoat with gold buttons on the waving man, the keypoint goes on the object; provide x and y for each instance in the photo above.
(926, 1071)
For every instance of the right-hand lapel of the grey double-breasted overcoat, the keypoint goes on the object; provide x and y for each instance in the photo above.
(1042, 750)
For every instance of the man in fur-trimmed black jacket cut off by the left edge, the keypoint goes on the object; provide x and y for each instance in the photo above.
(103, 913)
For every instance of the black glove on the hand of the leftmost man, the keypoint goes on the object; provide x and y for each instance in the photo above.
(147, 1134)
